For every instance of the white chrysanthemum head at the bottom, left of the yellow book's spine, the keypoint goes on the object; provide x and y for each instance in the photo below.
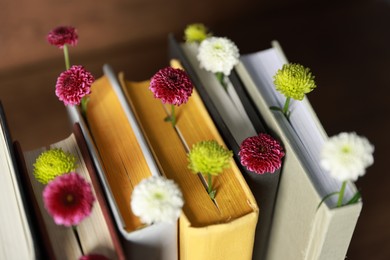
(156, 200)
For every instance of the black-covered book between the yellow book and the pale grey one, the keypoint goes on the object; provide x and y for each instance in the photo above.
(235, 123)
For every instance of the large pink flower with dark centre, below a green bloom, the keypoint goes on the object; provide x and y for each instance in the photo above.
(68, 199)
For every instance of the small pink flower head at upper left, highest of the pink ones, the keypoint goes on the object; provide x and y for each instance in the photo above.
(62, 35)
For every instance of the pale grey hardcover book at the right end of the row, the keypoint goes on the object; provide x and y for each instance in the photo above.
(324, 233)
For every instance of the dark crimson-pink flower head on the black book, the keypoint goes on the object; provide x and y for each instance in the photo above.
(261, 154)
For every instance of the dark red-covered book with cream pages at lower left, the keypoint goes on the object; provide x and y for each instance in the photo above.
(96, 233)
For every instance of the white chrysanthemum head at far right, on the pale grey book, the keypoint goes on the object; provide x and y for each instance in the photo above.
(346, 156)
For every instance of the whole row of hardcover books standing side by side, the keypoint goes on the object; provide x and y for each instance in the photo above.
(124, 139)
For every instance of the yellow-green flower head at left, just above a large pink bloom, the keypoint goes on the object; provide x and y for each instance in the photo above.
(53, 163)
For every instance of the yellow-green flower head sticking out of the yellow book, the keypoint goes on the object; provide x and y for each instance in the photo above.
(209, 157)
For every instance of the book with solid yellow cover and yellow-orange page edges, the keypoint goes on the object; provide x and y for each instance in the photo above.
(221, 230)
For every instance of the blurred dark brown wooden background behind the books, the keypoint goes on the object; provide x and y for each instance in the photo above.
(345, 43)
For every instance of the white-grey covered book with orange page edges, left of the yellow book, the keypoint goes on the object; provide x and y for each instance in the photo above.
(123, 159)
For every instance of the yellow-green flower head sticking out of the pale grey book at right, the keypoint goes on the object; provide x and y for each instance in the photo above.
(294, 81)
